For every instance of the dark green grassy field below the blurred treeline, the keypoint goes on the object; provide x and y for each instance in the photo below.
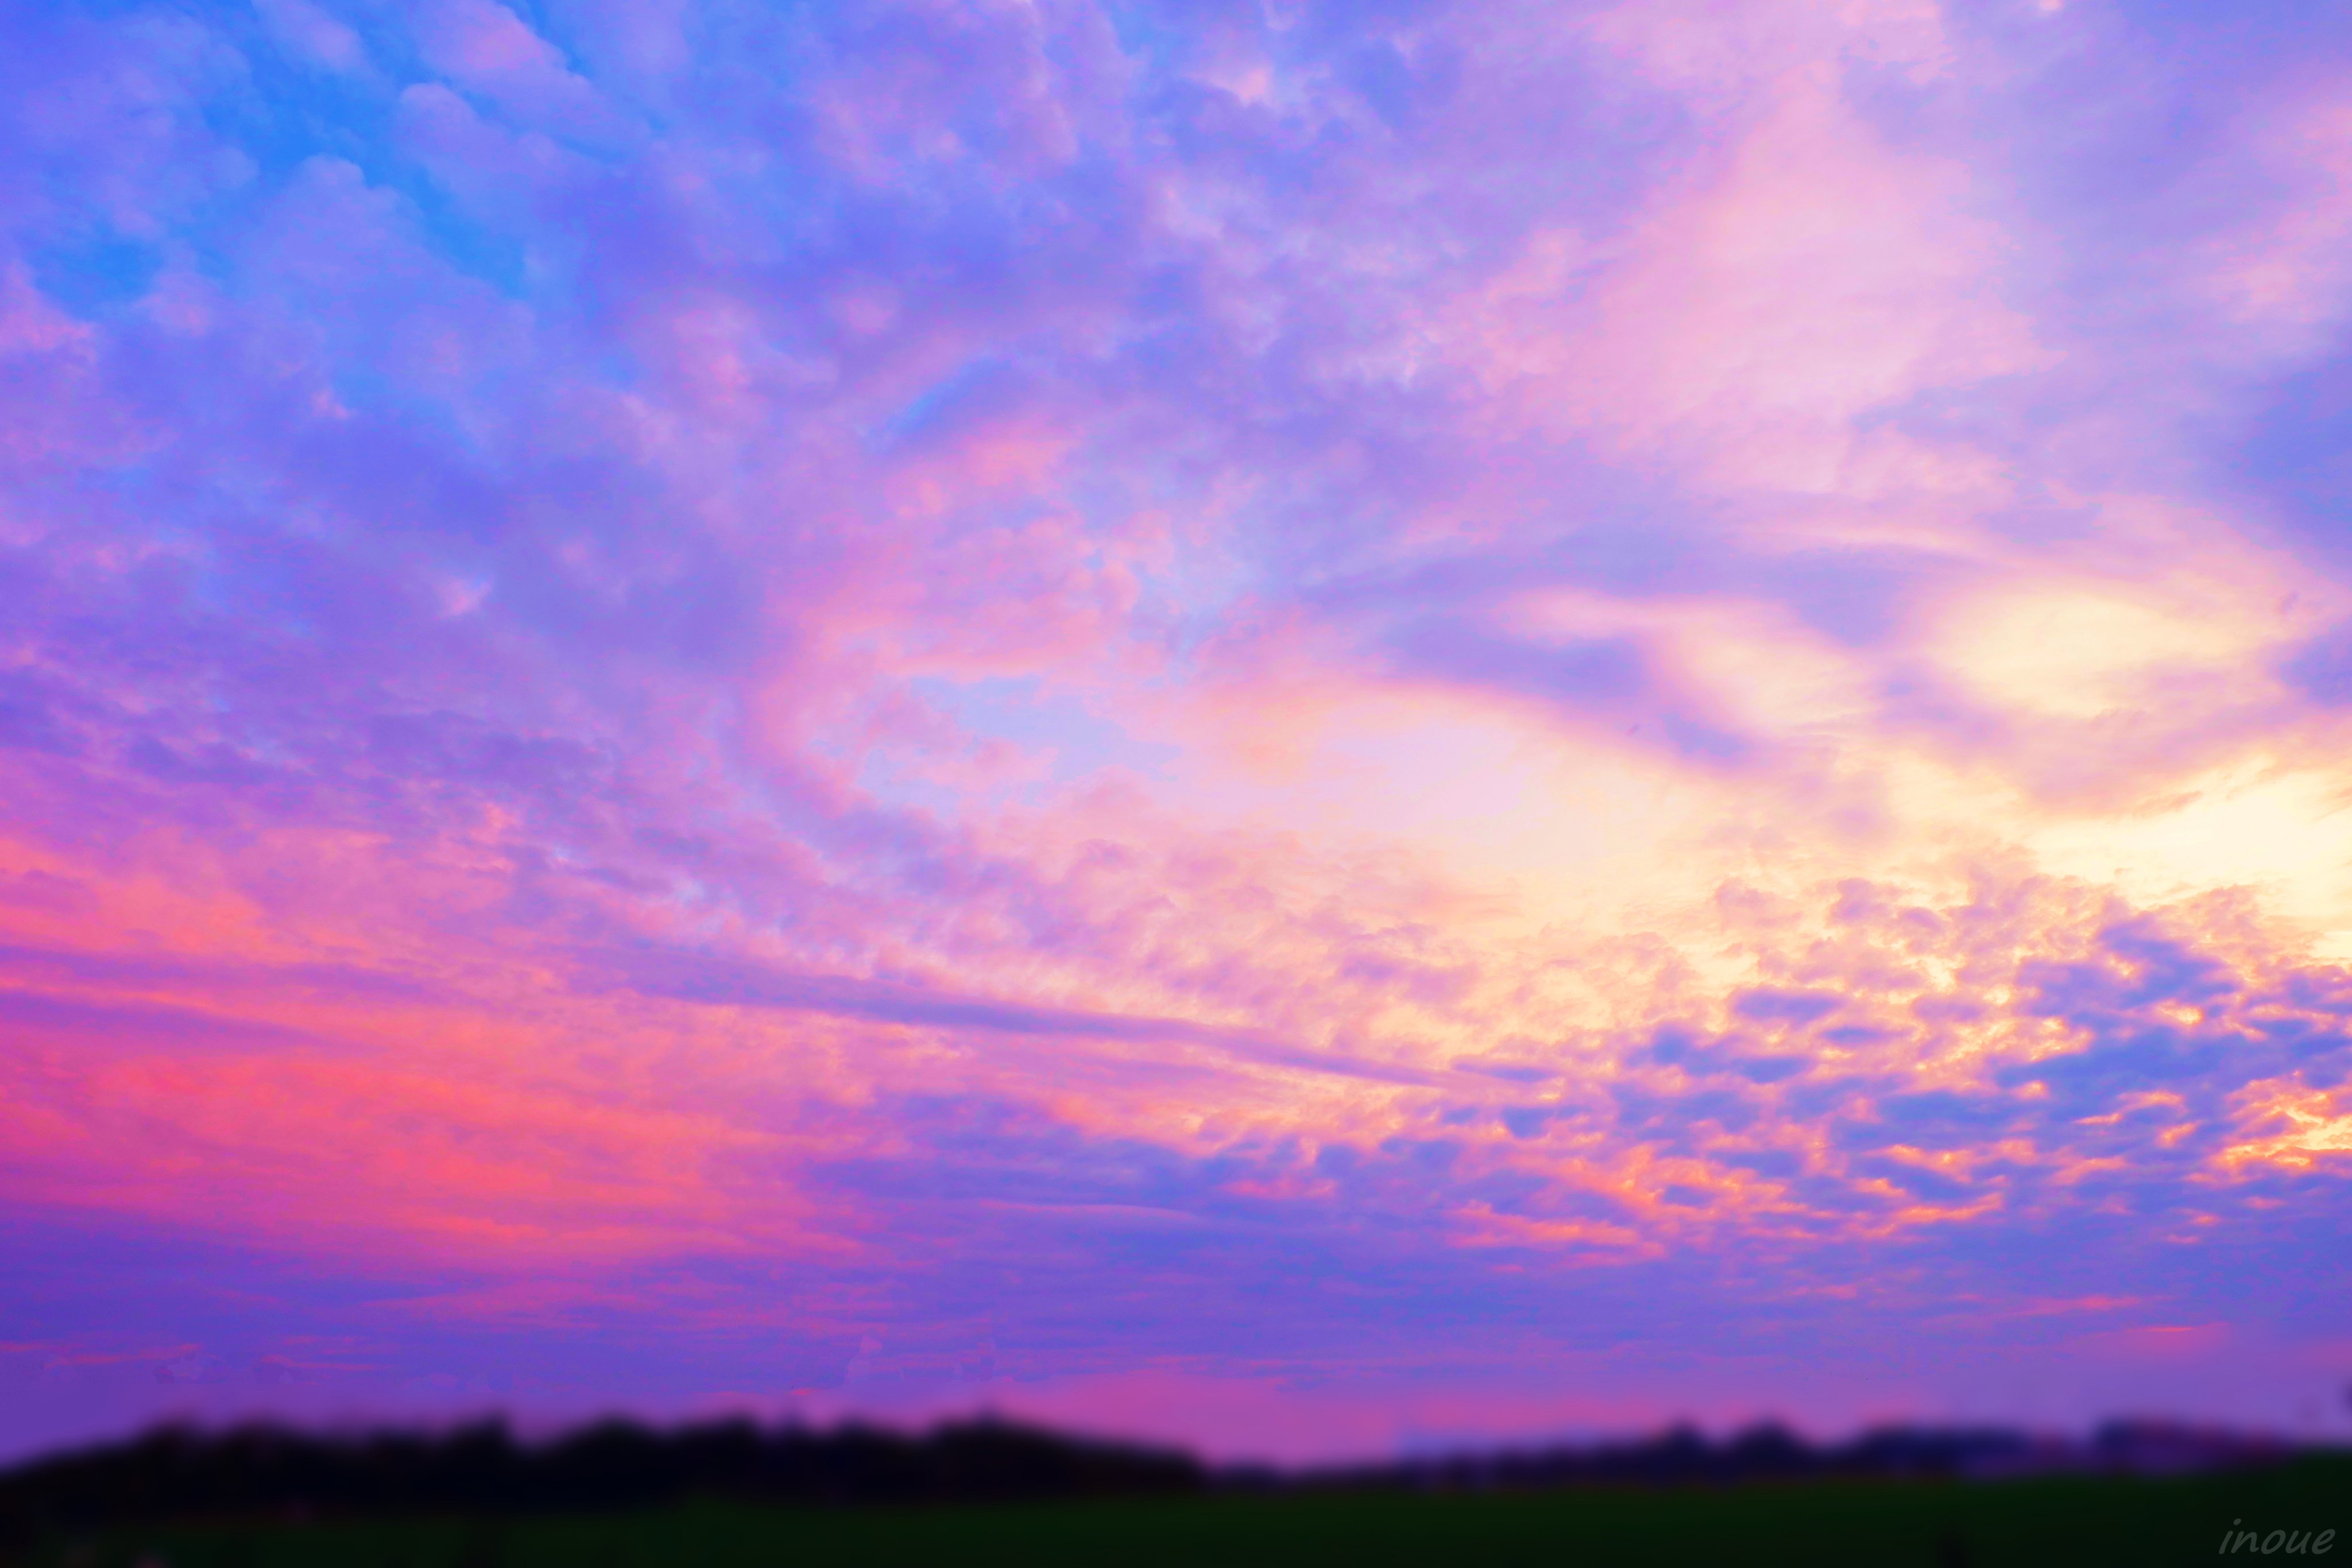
(2076, 1522)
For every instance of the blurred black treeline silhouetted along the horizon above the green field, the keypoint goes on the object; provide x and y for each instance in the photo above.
(622, 1466)
